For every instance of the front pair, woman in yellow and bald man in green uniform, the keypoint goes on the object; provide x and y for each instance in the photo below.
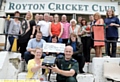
(66, 67)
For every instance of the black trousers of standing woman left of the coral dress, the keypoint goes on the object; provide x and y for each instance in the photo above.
(86, 41)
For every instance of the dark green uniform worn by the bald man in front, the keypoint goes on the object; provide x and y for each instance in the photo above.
(67, 65)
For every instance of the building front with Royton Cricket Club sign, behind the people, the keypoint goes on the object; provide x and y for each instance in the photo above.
(72, 8)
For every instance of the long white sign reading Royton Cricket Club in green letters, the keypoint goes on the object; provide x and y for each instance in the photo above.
(78, 7)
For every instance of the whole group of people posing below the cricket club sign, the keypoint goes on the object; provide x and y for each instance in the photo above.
(79, 39)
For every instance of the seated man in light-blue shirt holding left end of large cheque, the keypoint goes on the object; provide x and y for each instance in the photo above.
(32, 45)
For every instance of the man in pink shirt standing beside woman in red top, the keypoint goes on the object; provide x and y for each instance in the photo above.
(66, 31)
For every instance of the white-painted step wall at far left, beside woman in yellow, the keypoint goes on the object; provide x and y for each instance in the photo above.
(7, 69)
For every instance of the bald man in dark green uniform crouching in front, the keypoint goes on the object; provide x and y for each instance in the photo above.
(66, 67)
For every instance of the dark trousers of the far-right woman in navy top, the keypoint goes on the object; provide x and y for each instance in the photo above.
(111, 53)
